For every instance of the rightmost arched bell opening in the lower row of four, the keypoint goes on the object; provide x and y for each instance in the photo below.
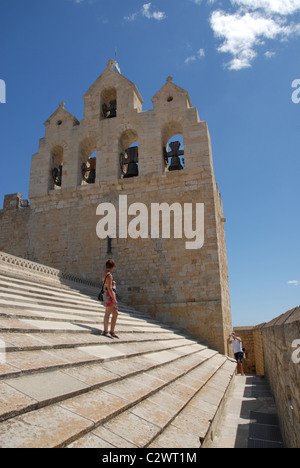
(173, 147)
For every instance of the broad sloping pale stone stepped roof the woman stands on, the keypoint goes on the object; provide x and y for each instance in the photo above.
(62, 384)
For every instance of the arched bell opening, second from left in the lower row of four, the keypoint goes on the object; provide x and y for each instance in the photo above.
(88, 161)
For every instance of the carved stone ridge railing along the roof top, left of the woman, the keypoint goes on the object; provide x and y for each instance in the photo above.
(33, 267)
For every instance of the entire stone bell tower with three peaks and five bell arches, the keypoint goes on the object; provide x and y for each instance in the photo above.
(162, 155)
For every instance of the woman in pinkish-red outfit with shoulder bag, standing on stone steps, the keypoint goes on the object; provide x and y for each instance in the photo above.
(110, 300)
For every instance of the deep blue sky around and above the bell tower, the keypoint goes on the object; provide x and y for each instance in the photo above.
(236, 58)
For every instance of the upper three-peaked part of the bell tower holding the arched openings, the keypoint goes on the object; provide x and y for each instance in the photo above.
(113, 122)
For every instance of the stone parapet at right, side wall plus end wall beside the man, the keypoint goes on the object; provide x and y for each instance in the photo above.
(273, 350)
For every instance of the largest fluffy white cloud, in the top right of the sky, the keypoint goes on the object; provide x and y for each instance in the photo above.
(242, 32)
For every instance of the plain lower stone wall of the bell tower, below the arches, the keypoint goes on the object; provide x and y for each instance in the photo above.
(181, 287)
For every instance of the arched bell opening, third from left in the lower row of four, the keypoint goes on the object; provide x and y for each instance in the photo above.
(129, 154)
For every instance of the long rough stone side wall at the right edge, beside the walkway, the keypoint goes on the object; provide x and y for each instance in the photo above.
(281, 343)
